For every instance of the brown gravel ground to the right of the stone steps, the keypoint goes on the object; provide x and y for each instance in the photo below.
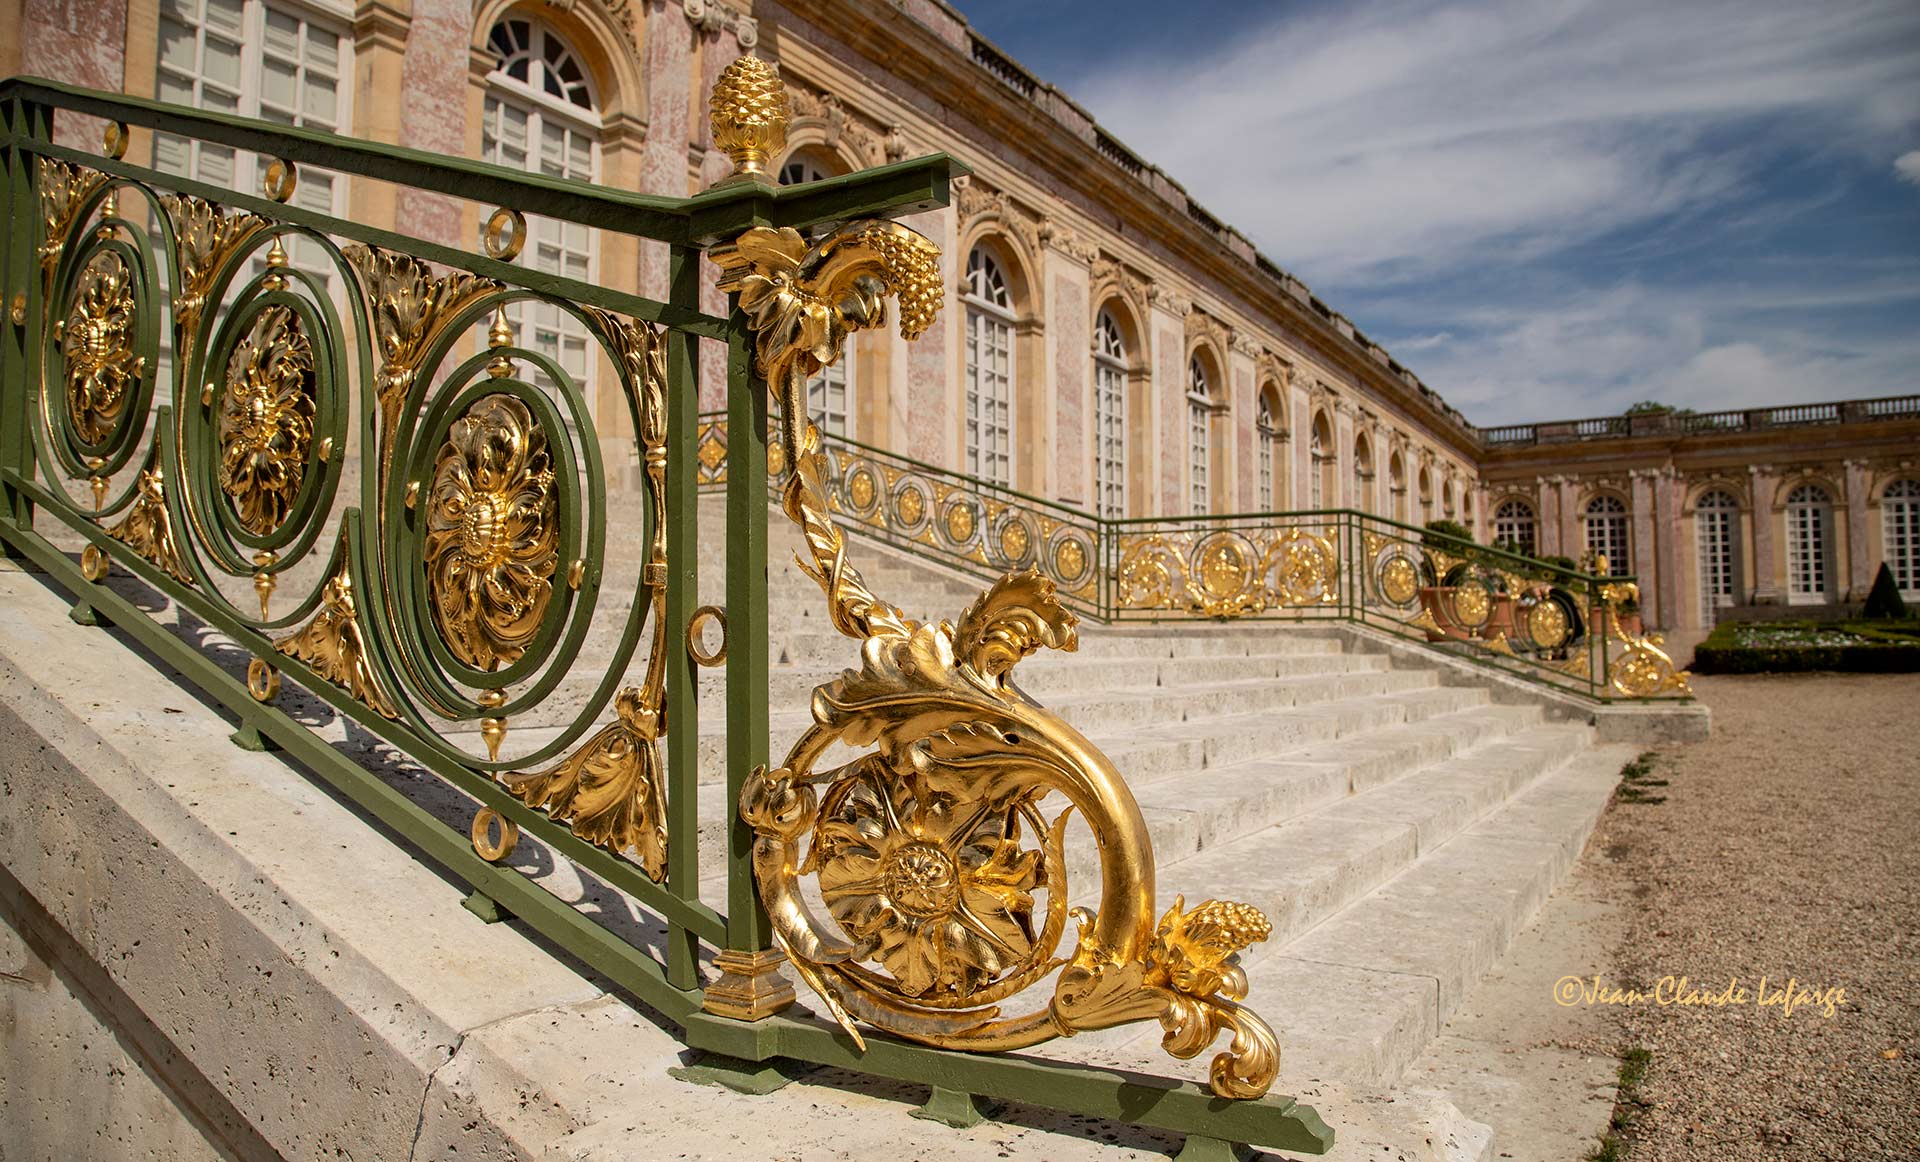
(1785, 848)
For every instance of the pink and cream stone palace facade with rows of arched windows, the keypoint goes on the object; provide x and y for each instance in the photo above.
(1111, 345)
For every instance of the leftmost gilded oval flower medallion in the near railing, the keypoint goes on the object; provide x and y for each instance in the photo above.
(97, 341)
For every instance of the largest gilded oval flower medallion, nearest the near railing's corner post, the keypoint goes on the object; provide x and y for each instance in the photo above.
(492, 533)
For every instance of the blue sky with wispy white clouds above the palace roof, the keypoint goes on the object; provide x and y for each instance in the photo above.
(1547, 208)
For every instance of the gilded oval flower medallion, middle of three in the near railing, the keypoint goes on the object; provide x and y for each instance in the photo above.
(266, 425)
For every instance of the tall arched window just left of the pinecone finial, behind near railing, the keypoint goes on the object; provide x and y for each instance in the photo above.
(540, 116)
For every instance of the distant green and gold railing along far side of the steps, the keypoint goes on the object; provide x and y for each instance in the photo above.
(1537, 621)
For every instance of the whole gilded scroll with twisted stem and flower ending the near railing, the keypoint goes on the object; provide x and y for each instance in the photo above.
(940, 850)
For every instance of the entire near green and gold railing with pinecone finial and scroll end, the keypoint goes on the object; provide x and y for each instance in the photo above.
(341, 450)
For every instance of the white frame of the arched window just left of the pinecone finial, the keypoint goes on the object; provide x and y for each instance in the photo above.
(542, 110)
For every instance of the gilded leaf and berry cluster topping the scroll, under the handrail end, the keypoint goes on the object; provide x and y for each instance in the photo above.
(805, 301)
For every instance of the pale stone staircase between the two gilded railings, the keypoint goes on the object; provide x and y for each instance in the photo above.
(1397, 825)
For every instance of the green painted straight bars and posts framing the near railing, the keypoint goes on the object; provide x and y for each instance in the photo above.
(671, 984)
